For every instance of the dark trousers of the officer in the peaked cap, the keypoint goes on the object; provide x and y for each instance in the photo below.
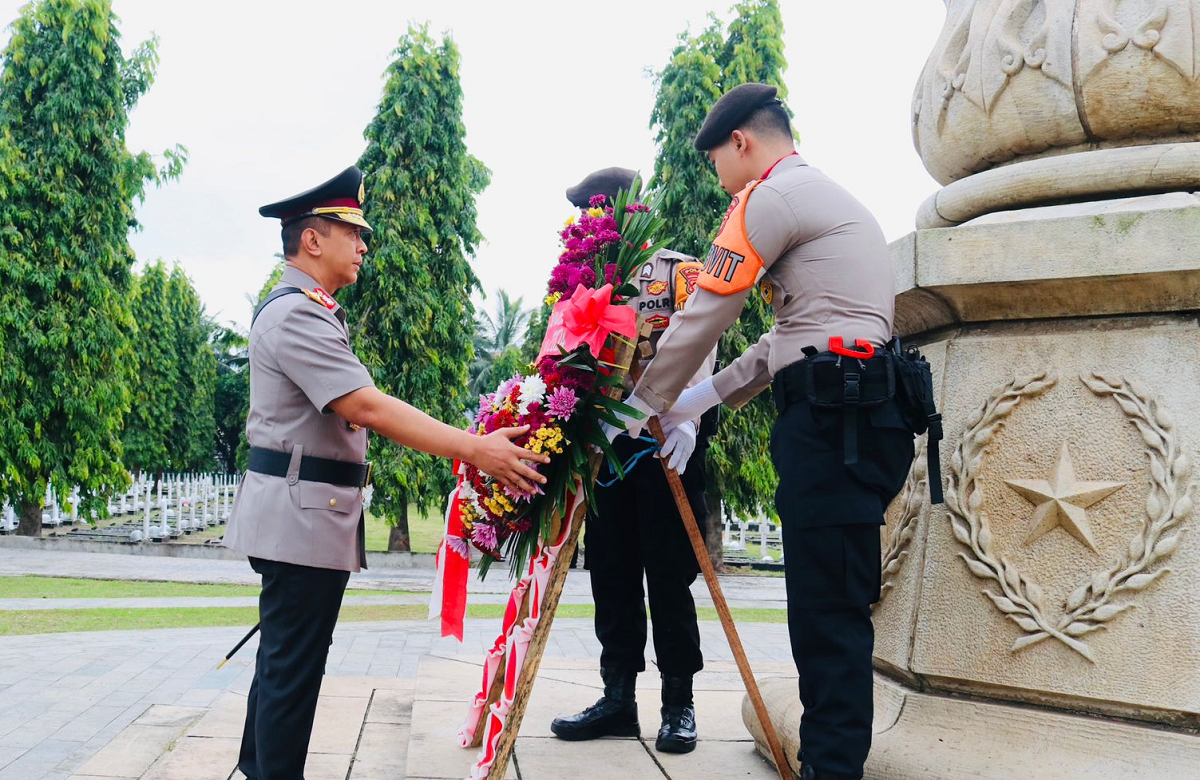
(298, 610)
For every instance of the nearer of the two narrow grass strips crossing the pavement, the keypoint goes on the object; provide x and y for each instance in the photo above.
(14, 623)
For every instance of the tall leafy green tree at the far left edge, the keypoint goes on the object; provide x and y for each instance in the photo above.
(71, 187)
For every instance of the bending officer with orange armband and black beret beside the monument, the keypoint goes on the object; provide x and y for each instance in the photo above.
(819, 257)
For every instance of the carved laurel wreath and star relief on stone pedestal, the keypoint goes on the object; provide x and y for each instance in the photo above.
(1109, 592)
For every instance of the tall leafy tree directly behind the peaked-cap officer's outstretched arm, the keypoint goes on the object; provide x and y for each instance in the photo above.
(412, 311)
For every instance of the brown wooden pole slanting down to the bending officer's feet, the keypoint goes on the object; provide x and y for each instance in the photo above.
(715, 589)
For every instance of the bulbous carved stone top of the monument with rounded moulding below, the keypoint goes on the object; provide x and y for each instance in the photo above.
(1011, 82)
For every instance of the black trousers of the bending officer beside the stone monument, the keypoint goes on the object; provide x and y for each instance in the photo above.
(831, 515)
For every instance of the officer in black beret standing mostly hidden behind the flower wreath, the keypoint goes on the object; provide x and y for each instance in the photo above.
(638, 533)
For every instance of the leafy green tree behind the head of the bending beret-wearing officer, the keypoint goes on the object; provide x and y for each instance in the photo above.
(703, 69)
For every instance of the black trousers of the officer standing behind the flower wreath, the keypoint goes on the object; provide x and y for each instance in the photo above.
(639, 532)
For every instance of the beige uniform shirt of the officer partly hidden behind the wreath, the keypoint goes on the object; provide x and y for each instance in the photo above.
(667, 281)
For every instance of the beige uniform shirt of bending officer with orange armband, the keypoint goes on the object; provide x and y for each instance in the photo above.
(826, 273)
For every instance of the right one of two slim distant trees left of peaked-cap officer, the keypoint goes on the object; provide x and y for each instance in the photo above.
(195, 435)
